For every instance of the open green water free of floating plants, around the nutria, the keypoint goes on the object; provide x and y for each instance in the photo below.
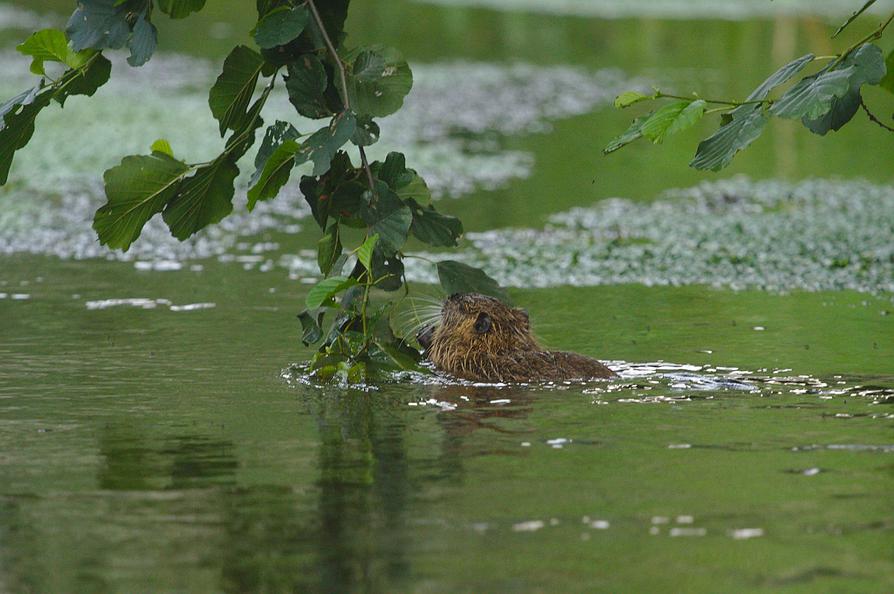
(155, 450)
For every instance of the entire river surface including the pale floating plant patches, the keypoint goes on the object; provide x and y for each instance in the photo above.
(157, 435)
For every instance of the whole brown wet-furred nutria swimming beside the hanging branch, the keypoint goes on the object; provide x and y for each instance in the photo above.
(480, 338)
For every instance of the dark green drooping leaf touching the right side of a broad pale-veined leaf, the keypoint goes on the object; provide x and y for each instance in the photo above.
(202, 199)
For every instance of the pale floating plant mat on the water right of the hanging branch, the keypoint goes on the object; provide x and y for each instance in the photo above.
(814, 235)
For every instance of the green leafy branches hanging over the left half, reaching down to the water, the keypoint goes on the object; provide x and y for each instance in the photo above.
(366, 211)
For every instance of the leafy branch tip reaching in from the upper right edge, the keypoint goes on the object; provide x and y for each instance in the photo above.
(823, 101)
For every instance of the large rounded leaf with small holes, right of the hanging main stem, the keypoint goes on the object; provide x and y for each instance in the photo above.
(378, 80)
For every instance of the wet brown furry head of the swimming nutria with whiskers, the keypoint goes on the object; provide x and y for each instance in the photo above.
(475, 334)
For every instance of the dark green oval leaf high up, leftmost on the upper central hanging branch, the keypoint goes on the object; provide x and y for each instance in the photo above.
(231, 93)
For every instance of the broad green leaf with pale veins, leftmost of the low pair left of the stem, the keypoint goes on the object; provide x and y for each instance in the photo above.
(136, 190)
